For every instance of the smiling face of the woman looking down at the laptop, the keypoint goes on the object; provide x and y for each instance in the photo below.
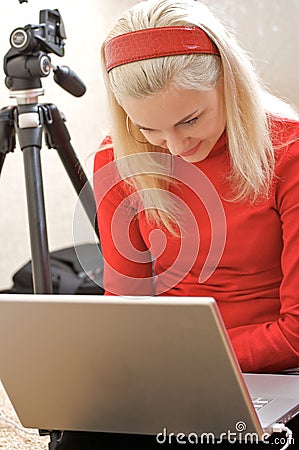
(187, 123)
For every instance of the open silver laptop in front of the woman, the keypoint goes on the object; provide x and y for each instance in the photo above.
(147, 365)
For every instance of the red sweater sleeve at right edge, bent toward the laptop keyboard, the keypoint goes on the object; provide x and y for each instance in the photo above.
(274, 346)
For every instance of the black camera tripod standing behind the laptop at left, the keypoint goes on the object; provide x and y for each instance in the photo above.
(24, 64)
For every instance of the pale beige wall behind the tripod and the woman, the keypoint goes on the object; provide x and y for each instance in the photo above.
(268, 28)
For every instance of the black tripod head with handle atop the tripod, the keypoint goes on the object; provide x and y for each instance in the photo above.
(28, 59)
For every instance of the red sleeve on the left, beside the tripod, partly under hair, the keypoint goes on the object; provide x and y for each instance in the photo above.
(127, 262)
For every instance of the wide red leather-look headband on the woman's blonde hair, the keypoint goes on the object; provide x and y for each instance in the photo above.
(156, 42)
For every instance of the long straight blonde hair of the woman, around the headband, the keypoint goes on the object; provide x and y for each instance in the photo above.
(247, 102)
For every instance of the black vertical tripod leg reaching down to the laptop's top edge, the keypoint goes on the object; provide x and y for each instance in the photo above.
(42, 280)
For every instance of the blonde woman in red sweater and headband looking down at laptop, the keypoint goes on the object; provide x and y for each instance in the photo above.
(197, 186)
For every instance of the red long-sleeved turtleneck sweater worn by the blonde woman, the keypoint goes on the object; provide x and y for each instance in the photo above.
(244, 255)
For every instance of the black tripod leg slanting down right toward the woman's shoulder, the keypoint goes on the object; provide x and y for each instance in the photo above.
(58, 137)
